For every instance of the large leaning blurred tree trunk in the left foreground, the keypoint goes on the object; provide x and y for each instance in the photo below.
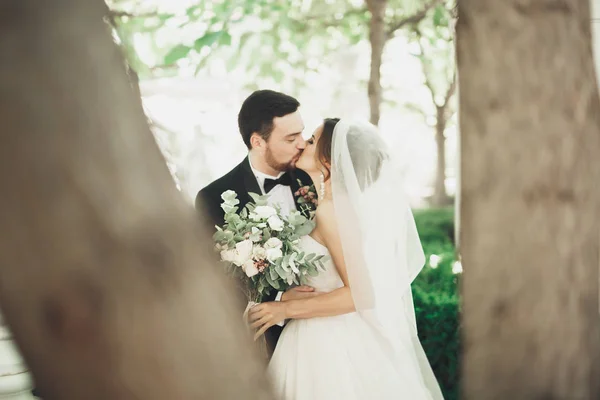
(106, 279)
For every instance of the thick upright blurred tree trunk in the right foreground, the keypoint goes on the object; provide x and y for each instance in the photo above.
(530, 132)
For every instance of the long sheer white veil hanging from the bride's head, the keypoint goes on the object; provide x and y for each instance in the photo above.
(381, 245)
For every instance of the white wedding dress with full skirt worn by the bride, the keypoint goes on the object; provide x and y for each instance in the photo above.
(340, 357)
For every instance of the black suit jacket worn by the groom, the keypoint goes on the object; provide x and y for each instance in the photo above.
(241, 179)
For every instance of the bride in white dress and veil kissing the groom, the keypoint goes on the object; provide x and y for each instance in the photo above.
(357, 337)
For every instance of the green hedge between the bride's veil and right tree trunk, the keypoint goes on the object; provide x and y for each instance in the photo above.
(436, 297)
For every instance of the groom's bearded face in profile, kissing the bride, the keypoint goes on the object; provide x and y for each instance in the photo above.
(285, 143)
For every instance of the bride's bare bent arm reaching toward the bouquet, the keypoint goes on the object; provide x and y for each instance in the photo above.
(338, 301)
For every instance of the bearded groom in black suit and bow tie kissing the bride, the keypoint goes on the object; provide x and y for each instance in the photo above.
(271, 127)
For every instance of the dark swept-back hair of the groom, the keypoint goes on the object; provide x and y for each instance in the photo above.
(259, 110)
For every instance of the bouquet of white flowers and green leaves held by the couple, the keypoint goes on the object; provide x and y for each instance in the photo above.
(260, 246)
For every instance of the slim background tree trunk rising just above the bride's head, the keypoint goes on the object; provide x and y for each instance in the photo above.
(377, 37)
